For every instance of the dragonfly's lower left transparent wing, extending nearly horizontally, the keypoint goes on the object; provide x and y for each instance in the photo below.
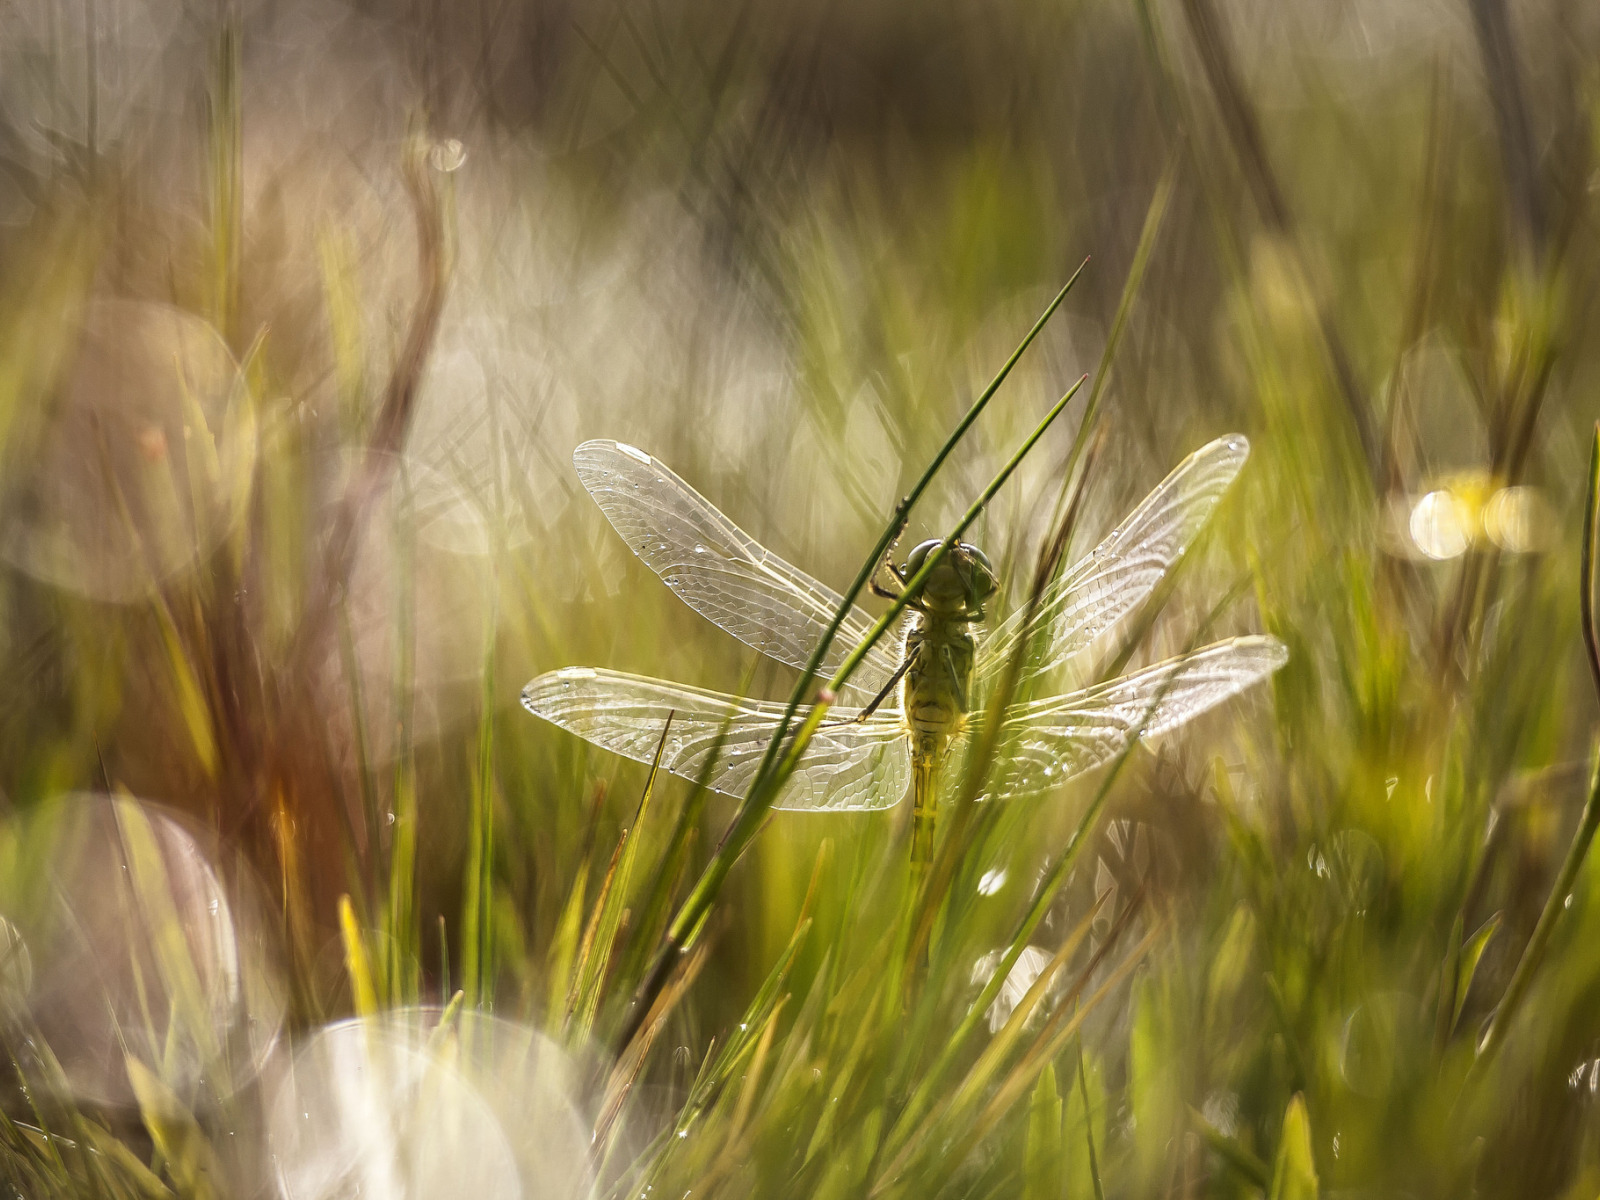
(849, 766)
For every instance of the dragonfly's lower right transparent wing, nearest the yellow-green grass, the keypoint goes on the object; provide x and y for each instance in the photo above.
(1063, 737)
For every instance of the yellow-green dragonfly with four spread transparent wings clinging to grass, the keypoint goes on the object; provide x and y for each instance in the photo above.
(910, 703)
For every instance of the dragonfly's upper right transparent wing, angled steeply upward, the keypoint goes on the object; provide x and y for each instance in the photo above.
(1116, 577)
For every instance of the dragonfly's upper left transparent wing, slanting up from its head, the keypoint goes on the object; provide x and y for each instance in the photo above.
(719, 570)
